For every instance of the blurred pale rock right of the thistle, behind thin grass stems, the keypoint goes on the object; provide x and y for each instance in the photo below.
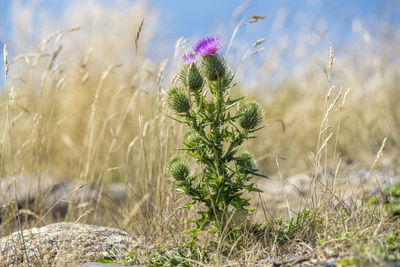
(350, 184)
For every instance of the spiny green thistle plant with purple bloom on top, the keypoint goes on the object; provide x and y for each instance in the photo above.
(218, 126)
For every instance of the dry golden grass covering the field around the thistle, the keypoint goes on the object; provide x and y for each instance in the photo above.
(89, 104)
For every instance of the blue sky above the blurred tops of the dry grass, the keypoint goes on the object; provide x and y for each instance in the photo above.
(198, 18)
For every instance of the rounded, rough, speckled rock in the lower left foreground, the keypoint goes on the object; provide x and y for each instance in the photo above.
(62, 243)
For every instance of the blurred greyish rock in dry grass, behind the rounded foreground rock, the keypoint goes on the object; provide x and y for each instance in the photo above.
(41, 193)
